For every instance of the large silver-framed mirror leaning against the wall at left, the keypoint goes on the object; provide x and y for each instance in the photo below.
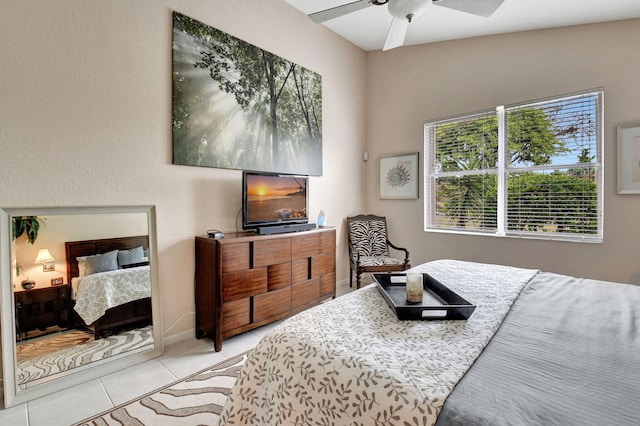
(80, 296)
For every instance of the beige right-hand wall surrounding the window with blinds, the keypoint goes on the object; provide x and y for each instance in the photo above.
(410, 85)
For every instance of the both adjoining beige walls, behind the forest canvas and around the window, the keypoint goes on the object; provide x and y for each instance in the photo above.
(86, 120)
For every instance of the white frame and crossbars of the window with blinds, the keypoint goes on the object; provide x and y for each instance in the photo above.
(503, 169)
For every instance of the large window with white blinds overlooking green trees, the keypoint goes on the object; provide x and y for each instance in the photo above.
(528, 170)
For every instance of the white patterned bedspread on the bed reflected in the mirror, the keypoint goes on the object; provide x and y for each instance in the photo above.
(98, 292)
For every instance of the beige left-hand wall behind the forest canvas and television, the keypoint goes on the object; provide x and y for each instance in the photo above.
(86, 118)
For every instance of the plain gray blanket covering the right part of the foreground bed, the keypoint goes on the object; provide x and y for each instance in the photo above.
(568, 353)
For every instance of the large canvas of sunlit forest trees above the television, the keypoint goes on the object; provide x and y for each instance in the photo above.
(236, 106)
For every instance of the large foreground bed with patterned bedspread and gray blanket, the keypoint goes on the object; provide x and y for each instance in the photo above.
(540, 348)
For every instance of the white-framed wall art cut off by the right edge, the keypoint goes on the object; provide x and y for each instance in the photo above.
(628, 148)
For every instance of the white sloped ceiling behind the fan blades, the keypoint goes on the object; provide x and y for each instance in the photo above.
(368, 28)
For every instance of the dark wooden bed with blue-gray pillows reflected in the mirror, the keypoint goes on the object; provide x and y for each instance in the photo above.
(109, 298)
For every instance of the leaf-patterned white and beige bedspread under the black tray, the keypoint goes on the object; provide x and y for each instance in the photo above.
(351, 361)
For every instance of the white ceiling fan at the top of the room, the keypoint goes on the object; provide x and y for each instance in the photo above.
(405, 11)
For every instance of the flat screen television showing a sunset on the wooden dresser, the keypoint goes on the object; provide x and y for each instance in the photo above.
(271, 199)
